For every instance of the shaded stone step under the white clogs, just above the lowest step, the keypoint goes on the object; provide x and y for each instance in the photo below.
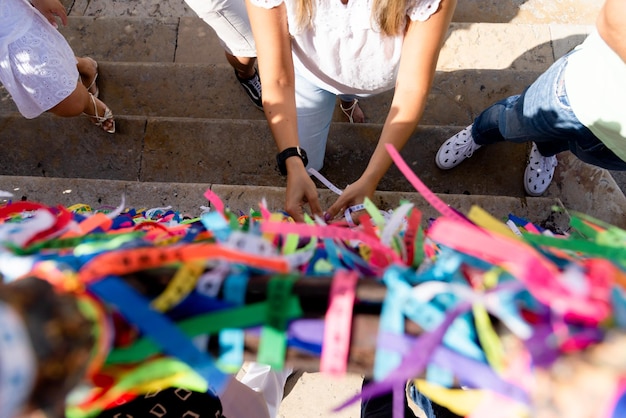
(242, 152)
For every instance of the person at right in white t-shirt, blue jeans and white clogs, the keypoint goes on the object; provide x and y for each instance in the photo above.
(575, 105)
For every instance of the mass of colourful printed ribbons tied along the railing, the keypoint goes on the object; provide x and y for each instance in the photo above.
(494, 301)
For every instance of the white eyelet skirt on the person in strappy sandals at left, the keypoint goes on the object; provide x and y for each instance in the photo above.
(39, 68)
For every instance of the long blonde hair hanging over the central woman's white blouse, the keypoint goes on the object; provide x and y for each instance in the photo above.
(389, 15)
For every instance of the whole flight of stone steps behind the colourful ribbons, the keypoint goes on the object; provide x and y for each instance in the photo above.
(185, 125)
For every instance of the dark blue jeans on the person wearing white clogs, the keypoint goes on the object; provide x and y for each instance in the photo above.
(542, 114)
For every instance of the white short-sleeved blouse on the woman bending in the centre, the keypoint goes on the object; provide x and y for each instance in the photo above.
(342, 52)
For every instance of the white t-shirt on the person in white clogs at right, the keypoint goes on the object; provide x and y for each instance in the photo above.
(595, 80)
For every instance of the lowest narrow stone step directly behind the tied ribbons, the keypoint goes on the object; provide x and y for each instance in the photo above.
(188, 198)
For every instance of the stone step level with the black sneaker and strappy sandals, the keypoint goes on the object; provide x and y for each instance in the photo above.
(211, 91)
